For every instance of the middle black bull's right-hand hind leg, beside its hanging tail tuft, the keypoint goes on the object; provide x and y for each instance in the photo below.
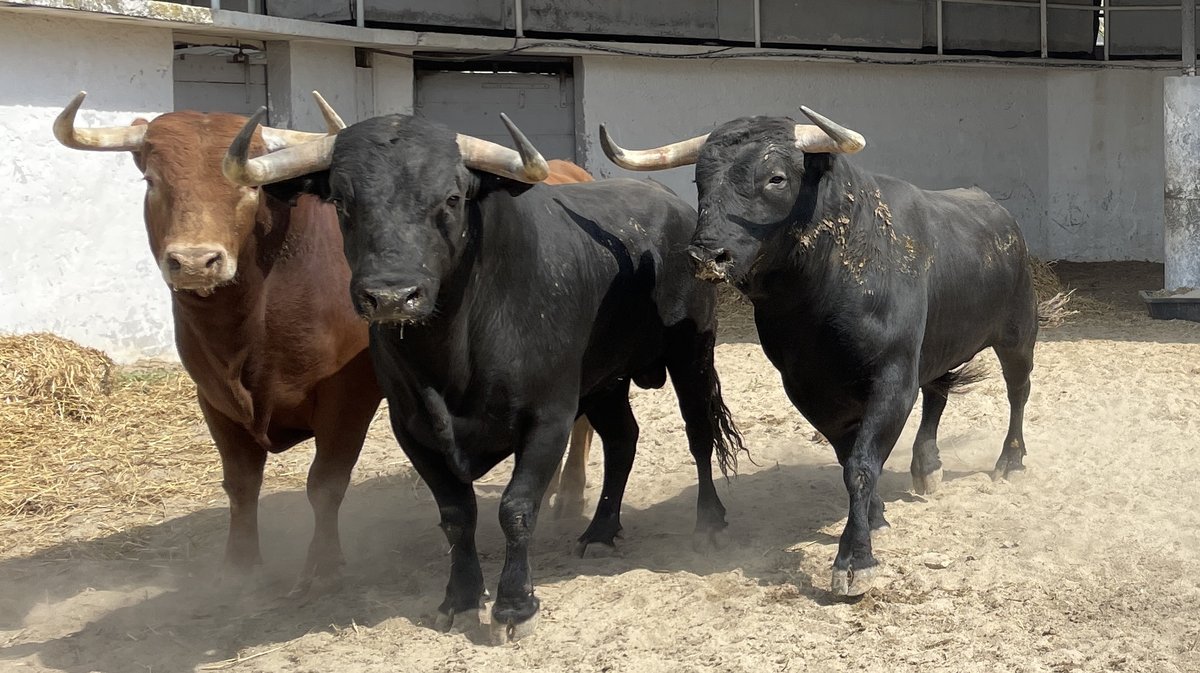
(709, 425)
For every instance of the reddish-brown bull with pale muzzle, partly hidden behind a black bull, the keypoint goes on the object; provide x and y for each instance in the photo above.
(263, 320)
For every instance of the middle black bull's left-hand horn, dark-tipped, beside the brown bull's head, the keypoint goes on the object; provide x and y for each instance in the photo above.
(290, 163)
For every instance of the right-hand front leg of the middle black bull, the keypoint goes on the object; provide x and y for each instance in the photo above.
(515, 614)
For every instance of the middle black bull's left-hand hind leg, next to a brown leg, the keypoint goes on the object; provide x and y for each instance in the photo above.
(614, 422)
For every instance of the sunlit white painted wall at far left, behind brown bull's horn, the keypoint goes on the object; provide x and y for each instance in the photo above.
(76, 260)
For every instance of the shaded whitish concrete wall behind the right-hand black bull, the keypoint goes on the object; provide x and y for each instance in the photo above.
(1049, 145)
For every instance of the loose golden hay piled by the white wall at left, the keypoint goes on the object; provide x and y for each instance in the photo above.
(79, 437)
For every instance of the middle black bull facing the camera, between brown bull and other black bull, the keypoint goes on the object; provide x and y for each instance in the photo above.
(500, 313)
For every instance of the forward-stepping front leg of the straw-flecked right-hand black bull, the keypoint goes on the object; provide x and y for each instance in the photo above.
(862, 456)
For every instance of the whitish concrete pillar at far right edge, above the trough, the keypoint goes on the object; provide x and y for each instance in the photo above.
(1181, 129)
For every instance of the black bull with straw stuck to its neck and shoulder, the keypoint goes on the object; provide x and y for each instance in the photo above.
(866, 290)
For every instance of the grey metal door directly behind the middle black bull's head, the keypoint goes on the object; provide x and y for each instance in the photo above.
(471, 103)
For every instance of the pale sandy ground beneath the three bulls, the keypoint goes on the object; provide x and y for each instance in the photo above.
(1088, 563)
